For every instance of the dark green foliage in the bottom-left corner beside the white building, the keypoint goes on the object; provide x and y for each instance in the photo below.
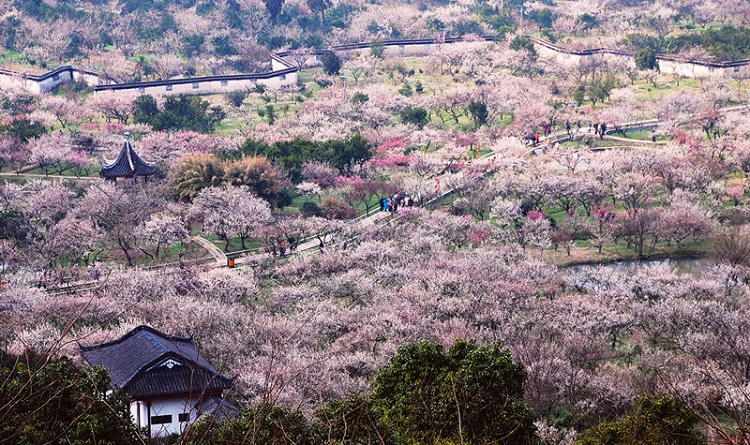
(53, 402)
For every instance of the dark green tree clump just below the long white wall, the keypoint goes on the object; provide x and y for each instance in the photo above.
(179, 113)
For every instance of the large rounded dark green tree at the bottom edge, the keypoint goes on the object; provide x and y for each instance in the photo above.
(468, 394)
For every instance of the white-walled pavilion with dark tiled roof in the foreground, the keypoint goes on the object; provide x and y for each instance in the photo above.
(170, 383)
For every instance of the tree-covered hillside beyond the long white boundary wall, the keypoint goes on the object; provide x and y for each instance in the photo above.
(141, 40)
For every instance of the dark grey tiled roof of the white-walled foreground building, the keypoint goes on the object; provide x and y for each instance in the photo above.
(135, 364)
